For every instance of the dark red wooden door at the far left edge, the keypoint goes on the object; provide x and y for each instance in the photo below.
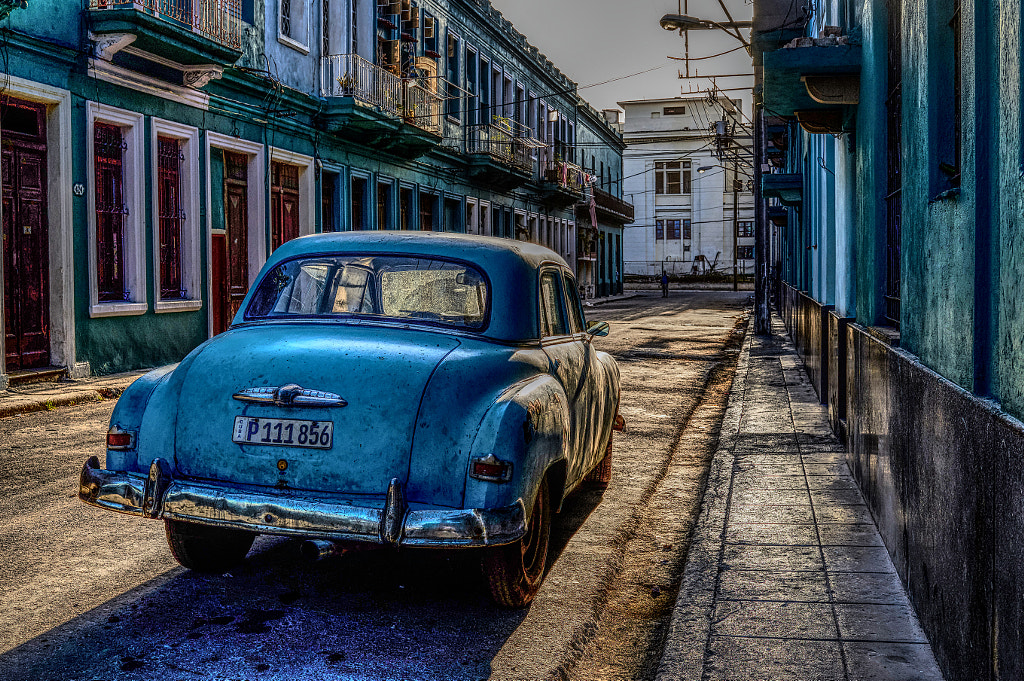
(26, 243)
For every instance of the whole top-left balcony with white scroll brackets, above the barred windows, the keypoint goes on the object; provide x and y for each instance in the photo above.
(186, 33)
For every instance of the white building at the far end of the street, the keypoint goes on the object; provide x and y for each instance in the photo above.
(687, 164)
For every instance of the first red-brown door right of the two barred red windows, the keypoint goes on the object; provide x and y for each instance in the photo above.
(230, 257)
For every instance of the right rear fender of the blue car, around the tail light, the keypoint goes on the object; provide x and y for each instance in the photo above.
(528, 427)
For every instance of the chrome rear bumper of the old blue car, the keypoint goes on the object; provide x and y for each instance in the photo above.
(159, 495)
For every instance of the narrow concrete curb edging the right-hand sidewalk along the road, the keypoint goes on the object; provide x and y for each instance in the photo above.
(687, 641)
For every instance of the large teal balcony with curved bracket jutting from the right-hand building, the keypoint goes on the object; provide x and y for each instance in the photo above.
(817, 81)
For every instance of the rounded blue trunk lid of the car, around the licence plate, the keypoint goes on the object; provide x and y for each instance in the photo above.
(380, 386)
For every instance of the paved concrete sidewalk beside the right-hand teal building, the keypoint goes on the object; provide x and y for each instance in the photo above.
(787, 577)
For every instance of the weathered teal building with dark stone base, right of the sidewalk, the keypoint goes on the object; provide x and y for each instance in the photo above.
(891, 209)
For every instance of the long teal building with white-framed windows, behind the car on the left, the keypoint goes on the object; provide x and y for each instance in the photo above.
(156, 153)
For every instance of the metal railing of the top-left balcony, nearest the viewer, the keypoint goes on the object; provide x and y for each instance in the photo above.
(221, 21)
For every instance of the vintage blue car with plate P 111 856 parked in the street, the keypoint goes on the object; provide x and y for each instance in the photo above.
(399, 389)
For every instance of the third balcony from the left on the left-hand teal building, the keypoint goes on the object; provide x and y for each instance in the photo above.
(497, 157)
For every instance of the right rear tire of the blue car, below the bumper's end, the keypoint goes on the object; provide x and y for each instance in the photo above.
(515, 572)
